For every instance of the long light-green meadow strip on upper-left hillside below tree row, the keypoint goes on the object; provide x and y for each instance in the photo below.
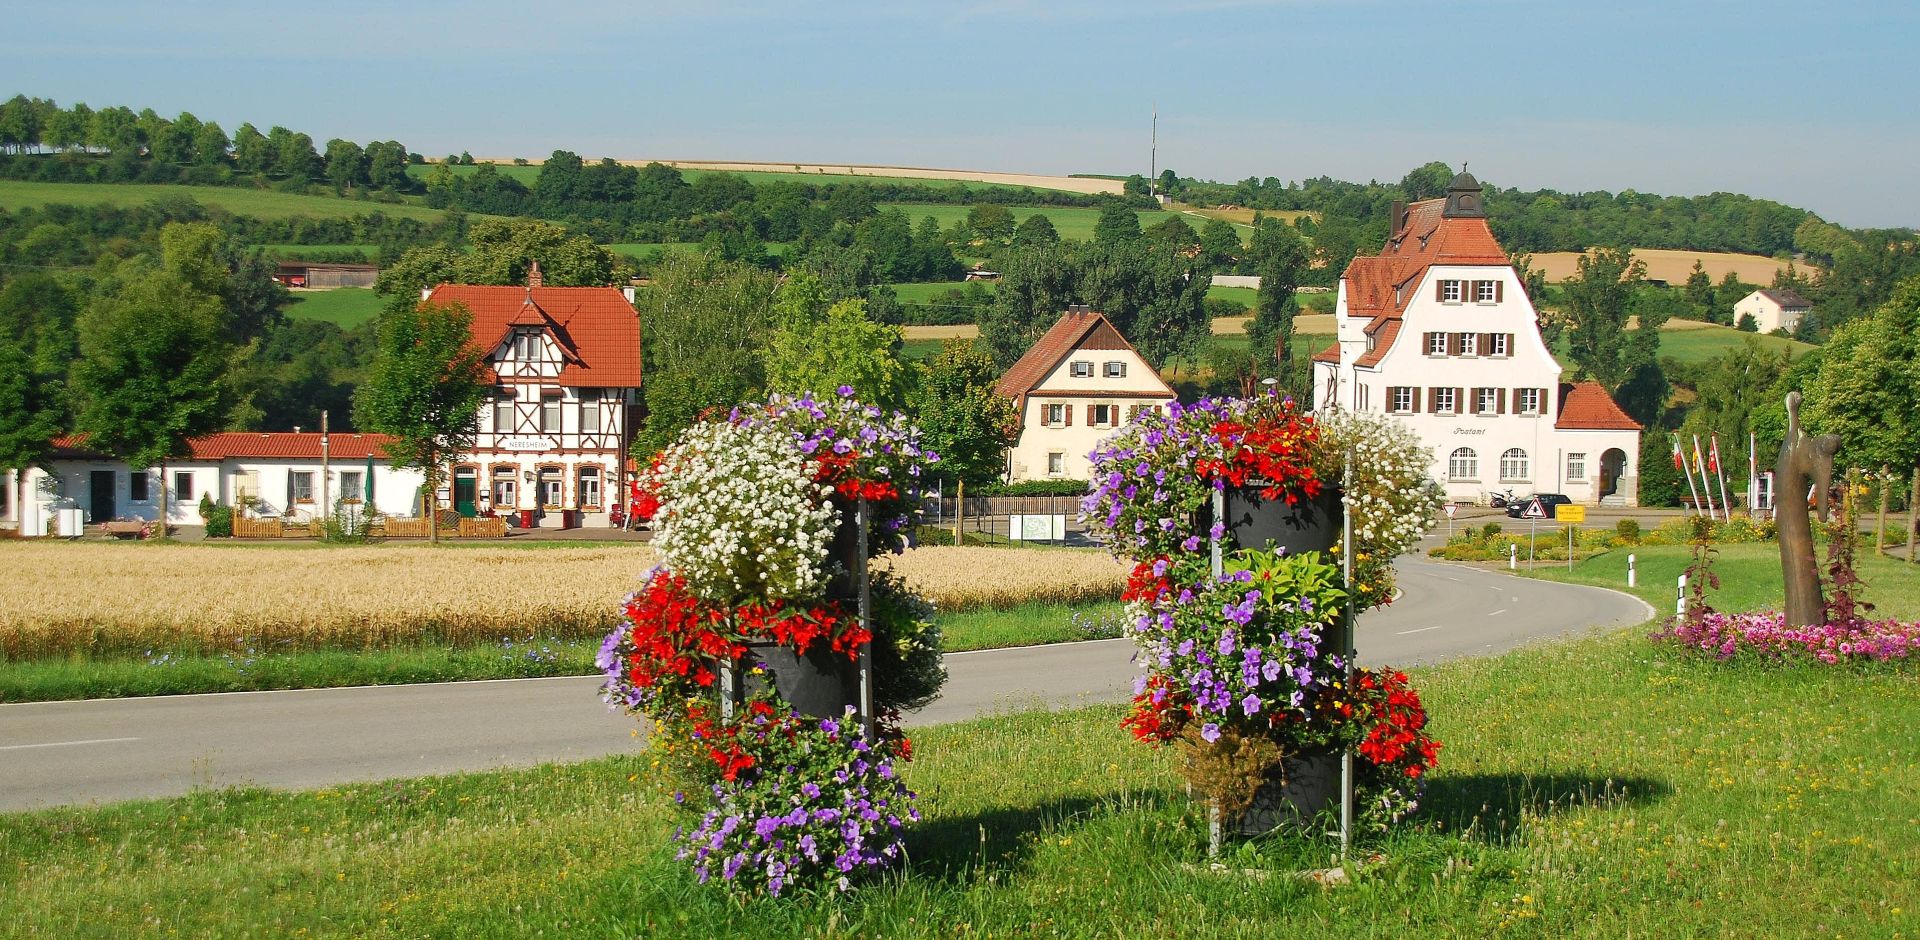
(260, 204)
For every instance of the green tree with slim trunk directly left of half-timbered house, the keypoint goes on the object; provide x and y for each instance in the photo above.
(425, 390)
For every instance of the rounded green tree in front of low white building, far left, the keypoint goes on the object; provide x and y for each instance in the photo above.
(153, 369)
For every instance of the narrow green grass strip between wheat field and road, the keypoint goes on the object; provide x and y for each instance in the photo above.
(531, 655)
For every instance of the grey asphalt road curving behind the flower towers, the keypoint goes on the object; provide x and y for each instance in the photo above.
(122, 749)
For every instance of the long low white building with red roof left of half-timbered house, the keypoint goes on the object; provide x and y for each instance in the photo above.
(287, 475)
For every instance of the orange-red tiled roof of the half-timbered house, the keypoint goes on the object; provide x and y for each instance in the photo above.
(598, 329)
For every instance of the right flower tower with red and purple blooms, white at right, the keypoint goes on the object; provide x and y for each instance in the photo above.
(1239, 670)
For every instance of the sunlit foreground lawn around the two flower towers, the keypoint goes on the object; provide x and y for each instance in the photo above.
(1604, 787)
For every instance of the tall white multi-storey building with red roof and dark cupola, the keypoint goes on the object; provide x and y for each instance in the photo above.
(1439, 331)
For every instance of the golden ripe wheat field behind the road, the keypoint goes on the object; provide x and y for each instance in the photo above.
(126, 599)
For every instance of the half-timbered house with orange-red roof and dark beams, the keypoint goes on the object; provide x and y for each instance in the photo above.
(556, 427)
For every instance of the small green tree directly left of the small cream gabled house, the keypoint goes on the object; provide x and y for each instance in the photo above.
(963, 417)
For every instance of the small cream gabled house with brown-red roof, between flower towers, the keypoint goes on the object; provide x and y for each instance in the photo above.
(1076, 387)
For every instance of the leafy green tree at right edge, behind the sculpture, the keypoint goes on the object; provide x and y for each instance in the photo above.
(1869, 385)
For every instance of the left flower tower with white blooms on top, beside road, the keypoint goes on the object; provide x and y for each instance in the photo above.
(748, 511)
